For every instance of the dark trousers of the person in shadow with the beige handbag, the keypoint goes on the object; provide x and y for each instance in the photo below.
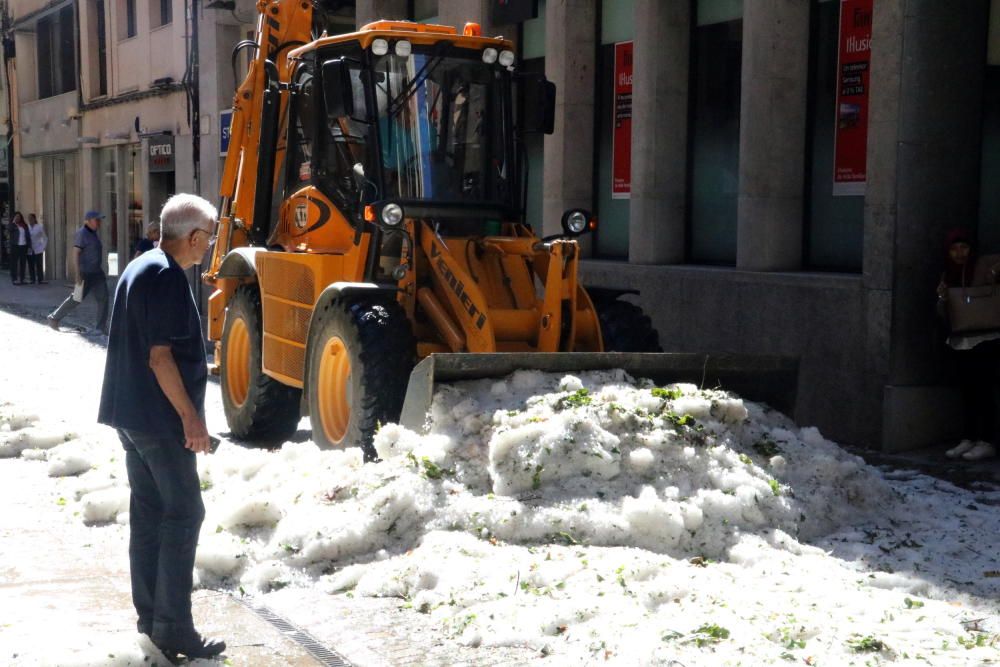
(978, 373)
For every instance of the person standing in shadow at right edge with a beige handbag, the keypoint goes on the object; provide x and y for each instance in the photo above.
(975, 356)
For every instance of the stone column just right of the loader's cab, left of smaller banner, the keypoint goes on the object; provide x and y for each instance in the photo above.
(570, 47)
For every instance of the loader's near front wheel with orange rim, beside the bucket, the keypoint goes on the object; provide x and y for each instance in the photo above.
(376, 340)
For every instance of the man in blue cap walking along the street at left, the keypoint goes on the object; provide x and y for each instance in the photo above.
(87, 271)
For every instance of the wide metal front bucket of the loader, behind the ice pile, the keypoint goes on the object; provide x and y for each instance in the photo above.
(767, 379)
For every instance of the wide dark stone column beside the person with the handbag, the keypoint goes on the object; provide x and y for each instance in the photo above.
(924, 150)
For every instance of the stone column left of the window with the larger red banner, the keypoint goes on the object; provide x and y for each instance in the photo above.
(772, 134)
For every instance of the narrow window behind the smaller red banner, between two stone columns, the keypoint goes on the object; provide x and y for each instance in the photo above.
(612, 209)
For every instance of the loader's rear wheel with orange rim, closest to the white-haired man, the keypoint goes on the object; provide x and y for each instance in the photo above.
(269, 410)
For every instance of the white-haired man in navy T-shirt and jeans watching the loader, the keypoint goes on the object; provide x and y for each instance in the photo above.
(154, 395)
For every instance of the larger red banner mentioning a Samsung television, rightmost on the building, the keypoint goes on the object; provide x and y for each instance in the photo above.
(850, 151)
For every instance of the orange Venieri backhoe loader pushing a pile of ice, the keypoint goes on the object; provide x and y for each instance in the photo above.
(372, 217)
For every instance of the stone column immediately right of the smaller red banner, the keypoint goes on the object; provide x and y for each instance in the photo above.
(659, 131)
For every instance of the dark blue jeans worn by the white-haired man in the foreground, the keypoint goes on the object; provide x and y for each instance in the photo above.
(165, 515)
